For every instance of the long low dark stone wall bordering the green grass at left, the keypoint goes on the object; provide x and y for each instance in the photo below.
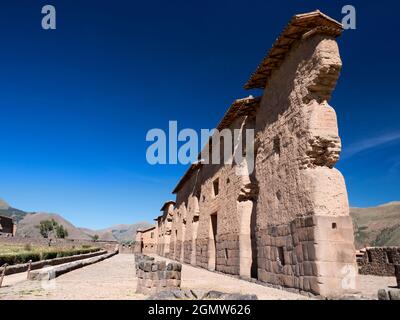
(51, 262)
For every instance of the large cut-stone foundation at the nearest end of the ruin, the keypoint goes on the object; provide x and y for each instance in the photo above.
(309, 254)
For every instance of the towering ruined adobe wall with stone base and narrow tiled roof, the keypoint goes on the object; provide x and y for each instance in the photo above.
(286, 222)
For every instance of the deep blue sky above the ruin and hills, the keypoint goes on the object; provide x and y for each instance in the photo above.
(76, 103)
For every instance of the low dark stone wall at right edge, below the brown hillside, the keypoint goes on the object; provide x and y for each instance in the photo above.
(379, 261)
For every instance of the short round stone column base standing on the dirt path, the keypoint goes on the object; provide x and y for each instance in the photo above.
(156, 276)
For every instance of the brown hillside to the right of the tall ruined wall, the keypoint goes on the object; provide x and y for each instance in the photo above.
(377, 226)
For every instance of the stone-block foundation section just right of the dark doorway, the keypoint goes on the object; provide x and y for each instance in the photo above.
(228, 253)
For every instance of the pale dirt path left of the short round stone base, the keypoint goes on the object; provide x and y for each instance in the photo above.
(111, 279)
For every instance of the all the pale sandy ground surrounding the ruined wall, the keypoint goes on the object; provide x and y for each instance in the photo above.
(115, 279)
